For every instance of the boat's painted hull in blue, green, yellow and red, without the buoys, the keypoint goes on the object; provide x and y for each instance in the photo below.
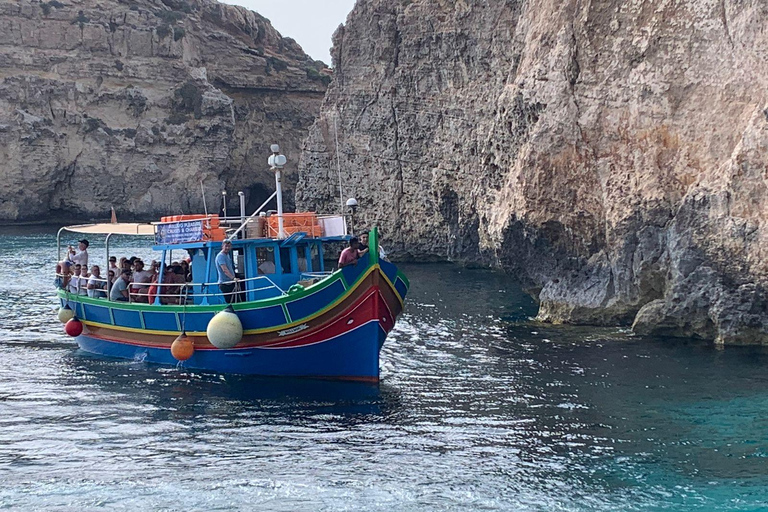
(333, 329)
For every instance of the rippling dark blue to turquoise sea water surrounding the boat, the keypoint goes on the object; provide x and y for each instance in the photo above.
(479, 409)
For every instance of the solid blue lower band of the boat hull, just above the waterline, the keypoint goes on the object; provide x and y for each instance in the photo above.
(353, 355)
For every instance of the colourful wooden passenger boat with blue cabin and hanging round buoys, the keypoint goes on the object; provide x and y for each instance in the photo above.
(288, 316)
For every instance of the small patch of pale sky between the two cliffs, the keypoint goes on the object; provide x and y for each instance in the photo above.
(310, 22)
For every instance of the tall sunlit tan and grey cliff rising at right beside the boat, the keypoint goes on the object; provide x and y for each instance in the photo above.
(612, 154)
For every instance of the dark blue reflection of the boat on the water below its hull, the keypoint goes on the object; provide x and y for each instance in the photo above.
(179, 393)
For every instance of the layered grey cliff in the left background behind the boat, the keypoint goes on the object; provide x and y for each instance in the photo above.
(131, 104)
